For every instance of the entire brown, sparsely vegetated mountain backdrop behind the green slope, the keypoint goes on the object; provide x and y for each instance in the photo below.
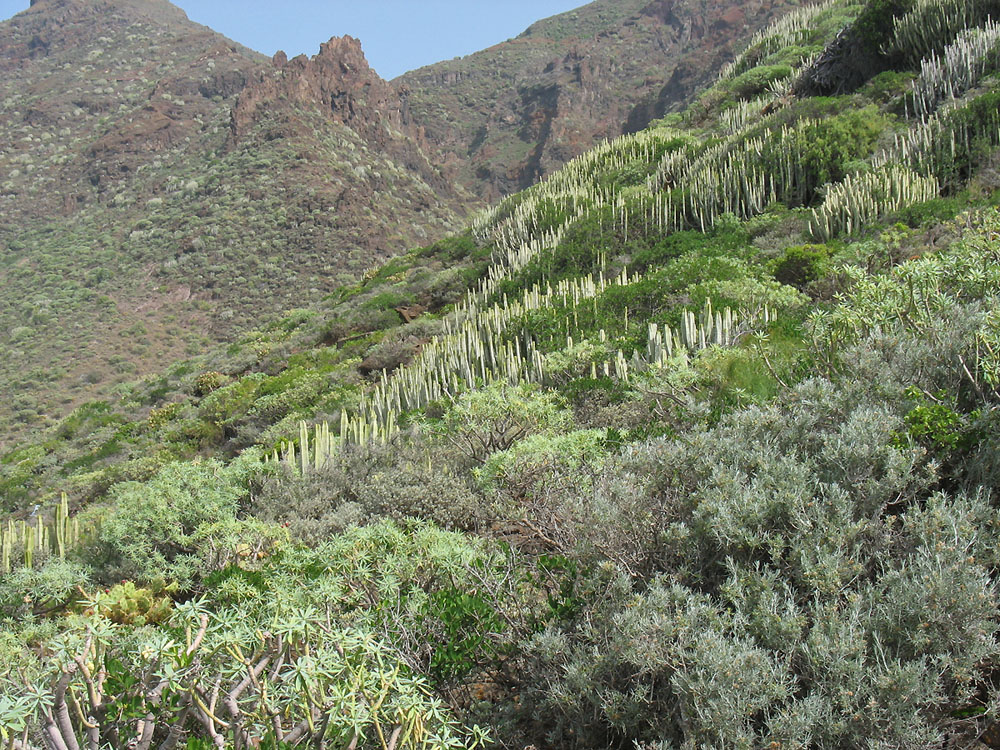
(163, 187)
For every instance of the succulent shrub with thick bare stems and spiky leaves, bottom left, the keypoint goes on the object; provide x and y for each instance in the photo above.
(310, 680)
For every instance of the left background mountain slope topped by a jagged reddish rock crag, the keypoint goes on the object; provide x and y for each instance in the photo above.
(160, 189)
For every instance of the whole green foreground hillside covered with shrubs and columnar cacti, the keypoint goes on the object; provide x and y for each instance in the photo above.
(693, 444)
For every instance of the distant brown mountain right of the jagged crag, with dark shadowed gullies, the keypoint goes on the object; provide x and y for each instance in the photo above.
(519, 110)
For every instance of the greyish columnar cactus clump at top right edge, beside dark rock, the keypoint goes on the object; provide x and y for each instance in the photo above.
(959, 67)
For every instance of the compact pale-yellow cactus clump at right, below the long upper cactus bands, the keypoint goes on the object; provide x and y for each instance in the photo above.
(860, 199)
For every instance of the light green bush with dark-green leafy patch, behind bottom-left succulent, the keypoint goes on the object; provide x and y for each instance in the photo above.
(451, 605)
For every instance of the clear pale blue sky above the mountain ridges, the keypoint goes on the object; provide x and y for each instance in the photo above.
(397, 35)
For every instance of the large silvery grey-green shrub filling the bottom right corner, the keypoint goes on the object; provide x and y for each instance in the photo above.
(793, 591)
